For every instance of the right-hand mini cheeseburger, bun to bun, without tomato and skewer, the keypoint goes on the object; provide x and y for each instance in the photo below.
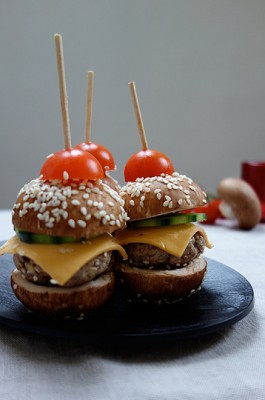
(163, 244)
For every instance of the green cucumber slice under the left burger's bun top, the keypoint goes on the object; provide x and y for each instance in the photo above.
(36, 238)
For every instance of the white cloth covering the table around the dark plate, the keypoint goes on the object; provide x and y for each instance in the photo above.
(229, 364)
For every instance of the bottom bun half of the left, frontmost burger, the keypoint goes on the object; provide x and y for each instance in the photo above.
(60, 302)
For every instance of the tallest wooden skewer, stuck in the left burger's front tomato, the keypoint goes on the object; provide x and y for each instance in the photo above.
(63, 92)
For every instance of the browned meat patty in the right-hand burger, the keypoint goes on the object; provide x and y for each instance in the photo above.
(147, 256)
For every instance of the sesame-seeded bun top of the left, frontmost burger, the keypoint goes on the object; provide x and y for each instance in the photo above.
(82, 210)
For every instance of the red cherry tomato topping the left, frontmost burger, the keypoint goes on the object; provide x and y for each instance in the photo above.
(72, 164)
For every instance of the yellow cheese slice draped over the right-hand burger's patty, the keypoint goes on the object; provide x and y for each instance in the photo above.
(172, 239)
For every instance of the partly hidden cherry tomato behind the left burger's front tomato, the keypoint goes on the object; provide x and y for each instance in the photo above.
(101, 153)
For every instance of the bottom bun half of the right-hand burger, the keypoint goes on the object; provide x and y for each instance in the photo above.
(162, 286)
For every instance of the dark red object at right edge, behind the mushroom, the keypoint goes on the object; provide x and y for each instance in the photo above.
(253, 172)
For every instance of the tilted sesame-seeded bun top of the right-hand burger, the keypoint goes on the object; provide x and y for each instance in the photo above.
(159, 195)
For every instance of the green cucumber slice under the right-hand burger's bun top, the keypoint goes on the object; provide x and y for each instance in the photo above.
(166, 220)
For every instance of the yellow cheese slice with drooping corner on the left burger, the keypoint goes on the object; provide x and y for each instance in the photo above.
(62, 261)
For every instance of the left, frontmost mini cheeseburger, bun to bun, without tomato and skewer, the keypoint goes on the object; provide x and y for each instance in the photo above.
(63, 247)
